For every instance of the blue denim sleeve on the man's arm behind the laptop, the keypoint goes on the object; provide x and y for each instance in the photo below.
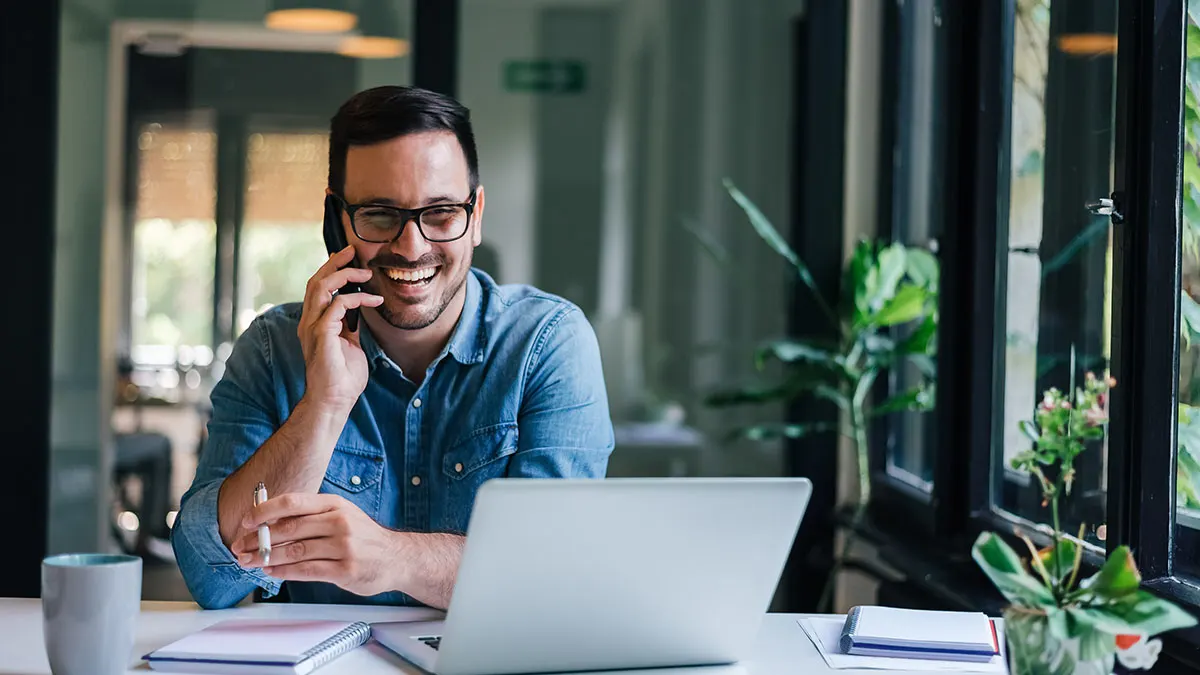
(565, 427)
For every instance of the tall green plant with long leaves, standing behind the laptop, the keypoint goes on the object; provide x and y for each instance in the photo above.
(886, 318)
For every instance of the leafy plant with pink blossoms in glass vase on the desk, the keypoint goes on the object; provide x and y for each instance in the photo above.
(1058, 623)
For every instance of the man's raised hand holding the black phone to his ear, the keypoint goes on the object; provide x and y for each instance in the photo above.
(335, 367)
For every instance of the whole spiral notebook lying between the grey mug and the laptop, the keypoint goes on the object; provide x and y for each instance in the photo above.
(261, 647)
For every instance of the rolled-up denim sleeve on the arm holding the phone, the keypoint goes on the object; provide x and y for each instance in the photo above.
(243, 421)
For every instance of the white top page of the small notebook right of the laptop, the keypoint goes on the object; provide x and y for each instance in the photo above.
(923, 628)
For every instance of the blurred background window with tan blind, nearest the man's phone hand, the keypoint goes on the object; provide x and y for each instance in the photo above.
(281, 244)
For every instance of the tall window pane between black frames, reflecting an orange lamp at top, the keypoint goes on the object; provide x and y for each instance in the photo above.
(1059, 260)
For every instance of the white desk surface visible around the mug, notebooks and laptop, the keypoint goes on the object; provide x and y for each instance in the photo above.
(783, 648)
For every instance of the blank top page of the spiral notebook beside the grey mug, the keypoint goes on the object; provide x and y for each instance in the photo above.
(254, 641)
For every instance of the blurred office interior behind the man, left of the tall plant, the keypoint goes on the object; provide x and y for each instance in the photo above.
(191, 163)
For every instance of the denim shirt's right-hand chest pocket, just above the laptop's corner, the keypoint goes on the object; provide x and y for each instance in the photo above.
(479, 457)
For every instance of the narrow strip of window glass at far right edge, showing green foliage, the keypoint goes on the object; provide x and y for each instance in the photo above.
(1187, 487)
